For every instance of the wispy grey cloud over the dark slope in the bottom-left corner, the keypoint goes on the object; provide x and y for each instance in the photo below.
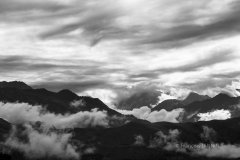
(42, 144)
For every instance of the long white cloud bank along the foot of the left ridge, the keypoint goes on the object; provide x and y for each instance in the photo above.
(19, 113)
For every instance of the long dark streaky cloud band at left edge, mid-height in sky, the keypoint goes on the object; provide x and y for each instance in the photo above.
(27, 64)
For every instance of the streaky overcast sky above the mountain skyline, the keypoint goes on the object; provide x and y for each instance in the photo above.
(107, 48)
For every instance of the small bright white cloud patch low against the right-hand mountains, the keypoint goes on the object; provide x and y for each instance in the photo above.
(217, 114)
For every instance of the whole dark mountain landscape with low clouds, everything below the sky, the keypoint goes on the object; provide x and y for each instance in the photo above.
(41, 124)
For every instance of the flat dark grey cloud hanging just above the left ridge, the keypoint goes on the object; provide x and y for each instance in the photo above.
(74, 86)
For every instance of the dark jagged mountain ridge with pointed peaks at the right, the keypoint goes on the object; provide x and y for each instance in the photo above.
(195, 104)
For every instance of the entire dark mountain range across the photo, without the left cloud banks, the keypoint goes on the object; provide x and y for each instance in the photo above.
(119, 142)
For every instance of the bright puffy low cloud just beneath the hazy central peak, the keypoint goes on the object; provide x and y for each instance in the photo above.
(155, 116)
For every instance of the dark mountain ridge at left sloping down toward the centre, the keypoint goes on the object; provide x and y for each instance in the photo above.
(54, 102)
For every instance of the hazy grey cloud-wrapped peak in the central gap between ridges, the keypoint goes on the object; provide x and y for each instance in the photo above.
(139, 100)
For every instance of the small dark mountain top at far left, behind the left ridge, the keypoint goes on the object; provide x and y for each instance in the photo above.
(14, 84)
